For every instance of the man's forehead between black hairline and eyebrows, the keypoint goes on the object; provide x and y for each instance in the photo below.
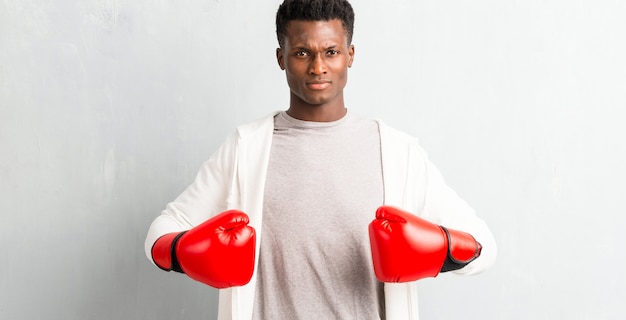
(306, 32)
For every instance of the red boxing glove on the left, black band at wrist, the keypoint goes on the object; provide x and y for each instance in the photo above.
(219, 252)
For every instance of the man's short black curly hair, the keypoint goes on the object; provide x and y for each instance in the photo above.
(314, 10)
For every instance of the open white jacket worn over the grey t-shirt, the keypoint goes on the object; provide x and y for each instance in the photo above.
(234, 178)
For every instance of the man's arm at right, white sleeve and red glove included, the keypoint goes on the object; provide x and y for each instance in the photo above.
(414, 184)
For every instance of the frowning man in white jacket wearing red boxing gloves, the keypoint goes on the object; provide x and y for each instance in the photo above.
(286, 217)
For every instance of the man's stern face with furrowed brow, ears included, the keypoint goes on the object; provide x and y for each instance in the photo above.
(316, 57)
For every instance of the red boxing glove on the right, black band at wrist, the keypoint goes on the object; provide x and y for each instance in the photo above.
(407, 248)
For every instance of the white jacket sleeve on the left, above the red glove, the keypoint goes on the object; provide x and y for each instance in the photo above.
(204, 198)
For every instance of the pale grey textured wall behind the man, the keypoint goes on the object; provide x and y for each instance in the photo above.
(108, 107)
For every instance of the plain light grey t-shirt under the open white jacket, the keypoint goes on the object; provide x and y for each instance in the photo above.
(324, 183)
